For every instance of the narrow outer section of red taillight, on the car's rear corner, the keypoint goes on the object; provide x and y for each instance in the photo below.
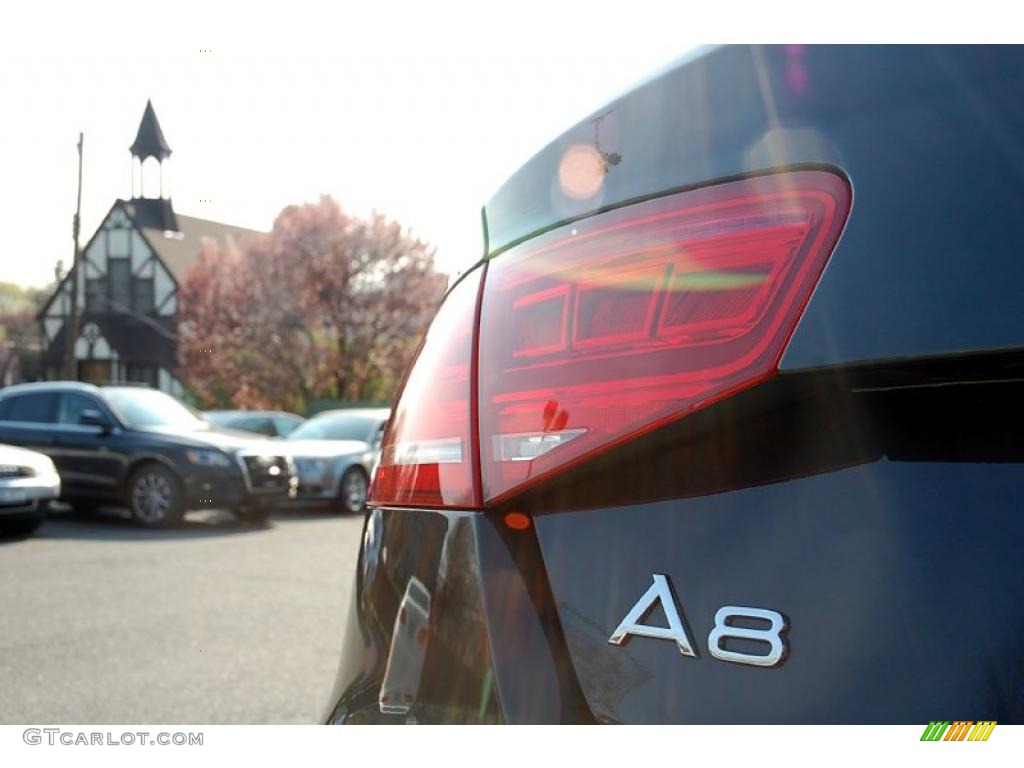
(430, 454)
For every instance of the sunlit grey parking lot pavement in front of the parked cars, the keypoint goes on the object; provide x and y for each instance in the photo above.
(103, 622)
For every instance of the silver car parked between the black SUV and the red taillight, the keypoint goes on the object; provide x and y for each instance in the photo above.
(334, 455)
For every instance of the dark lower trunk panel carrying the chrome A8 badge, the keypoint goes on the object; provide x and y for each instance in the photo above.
(901, 583)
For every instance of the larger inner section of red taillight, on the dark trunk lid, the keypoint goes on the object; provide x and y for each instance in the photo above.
(606, 329)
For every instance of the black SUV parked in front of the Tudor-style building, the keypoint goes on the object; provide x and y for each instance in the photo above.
(143, 449)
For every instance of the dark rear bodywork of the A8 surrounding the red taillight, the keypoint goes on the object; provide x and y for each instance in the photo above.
(869, 493)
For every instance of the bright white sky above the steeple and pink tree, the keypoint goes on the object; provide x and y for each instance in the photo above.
(417, 111)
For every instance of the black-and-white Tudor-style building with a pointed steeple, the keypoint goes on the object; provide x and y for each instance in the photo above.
(130, 273)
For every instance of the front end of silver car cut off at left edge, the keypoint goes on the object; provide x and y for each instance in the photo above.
(29, 482)
